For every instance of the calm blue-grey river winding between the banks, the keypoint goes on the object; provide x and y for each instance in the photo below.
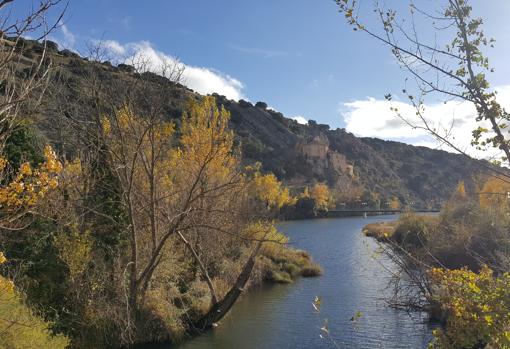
(355, 280)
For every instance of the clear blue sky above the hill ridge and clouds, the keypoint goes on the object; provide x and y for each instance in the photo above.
(299, 56)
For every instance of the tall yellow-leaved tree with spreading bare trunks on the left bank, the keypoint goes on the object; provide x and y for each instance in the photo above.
(185, 187)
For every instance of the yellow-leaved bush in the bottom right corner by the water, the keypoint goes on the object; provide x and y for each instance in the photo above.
(478, 308)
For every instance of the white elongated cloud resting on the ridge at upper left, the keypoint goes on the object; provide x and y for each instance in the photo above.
(202, 80)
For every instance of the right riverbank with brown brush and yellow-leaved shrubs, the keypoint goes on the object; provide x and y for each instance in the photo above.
(458, 262)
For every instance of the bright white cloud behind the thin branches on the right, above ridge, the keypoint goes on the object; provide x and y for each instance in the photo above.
(373, 118)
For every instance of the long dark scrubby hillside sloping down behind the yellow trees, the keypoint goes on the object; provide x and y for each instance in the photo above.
(300, 155)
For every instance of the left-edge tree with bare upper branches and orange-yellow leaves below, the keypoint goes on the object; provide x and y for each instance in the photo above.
(22, 188)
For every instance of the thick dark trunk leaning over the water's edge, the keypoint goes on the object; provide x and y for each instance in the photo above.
(220, 309)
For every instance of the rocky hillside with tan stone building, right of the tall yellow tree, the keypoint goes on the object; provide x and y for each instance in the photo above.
(301, 154)
